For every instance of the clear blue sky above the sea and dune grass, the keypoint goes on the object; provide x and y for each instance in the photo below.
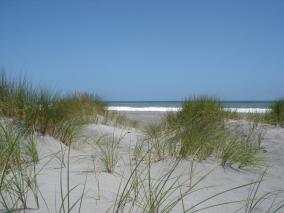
(147, 49)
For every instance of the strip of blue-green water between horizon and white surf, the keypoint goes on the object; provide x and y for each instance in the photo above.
(228, 104)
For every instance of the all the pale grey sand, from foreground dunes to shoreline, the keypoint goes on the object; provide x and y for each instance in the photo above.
(100, 189)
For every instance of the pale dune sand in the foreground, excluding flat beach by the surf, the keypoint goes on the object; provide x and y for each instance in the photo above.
(101, 188)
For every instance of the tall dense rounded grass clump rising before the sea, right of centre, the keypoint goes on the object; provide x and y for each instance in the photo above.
(198, 126)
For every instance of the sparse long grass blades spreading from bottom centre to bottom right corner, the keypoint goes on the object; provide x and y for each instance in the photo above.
(169, 191)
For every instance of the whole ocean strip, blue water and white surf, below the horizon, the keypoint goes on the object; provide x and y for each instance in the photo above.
(166, 106)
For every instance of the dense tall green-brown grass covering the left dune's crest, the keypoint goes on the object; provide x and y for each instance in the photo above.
(45, 111)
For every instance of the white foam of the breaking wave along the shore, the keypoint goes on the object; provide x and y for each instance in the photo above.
(176, 109)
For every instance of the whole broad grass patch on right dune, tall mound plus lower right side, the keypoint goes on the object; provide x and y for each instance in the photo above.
(200, 130)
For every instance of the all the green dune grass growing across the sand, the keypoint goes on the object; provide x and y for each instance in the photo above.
(198, 131)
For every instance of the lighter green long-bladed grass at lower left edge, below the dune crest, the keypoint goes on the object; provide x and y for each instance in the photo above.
(18, 158)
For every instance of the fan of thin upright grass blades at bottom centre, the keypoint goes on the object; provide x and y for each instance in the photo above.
(142, 192)
